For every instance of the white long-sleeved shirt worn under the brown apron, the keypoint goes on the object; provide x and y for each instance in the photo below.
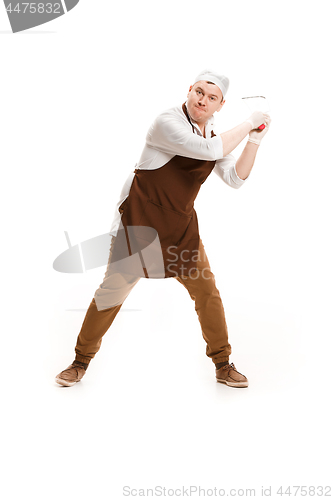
(171, 134)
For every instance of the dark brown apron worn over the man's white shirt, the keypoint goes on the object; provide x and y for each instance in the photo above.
(163, 199)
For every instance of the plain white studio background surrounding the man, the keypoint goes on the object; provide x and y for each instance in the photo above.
(77, 97)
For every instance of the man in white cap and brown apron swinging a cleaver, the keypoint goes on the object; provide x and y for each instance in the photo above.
(155, 229)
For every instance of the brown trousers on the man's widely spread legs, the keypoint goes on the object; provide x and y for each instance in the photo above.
(116, 287)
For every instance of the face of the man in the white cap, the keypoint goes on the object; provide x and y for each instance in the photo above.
(203, 100)
